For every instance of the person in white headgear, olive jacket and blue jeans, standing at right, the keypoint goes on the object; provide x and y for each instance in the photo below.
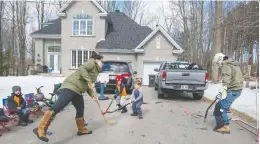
(231, 90)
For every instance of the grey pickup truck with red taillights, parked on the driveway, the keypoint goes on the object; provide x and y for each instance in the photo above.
(180, 77)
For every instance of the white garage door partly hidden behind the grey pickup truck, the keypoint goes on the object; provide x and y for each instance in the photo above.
(148, 68)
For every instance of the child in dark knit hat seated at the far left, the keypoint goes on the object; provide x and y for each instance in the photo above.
(21, 106)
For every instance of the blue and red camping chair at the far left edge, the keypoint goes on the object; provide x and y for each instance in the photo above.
(10, 107)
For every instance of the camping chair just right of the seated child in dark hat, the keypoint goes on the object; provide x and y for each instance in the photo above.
(32, 104)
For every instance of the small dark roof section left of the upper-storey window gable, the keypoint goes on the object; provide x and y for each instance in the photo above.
(54, 27)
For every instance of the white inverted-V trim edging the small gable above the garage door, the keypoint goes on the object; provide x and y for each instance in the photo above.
(175, 49)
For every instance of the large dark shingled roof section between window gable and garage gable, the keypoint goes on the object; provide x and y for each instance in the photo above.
(123, 33)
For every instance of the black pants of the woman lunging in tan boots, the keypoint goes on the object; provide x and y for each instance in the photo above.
(65, 97)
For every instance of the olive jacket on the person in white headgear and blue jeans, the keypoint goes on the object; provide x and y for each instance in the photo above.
(232, 75)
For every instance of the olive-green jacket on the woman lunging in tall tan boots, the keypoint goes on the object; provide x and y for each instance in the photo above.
(81, 80)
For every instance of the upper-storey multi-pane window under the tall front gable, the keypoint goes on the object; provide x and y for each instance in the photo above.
(82, 25)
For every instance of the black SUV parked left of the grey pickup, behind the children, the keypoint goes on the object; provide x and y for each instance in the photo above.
(114, 68)
